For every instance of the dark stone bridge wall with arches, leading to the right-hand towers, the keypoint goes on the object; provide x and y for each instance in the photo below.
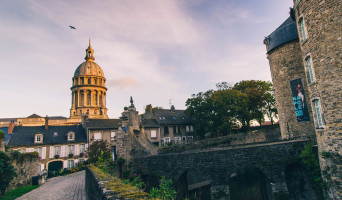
(217, 166)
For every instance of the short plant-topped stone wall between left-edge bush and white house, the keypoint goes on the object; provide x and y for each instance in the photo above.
(26, 166)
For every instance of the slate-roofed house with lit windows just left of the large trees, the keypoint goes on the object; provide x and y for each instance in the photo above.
(165, 126)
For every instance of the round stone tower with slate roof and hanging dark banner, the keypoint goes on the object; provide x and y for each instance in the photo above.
(284, 55)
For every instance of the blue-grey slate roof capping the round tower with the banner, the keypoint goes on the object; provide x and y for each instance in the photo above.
(286, 32)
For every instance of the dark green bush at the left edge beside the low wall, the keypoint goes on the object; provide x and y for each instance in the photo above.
(7, 172)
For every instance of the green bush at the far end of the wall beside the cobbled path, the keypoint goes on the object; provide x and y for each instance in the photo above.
(98, 149)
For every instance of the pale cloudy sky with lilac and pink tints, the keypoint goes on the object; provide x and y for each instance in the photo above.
(160, 52)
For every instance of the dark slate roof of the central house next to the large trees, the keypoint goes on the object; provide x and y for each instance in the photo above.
(172, 117)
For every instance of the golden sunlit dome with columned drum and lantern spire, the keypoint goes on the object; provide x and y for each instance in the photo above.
(89, 89)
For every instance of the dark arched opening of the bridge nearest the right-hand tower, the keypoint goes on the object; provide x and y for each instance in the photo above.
(298, 183)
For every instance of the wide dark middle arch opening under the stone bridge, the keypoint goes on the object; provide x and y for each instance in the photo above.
(248, 184)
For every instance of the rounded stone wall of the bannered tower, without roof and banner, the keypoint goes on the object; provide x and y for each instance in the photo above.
(286, 64)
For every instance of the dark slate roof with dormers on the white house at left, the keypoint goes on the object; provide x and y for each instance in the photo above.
(24, 135)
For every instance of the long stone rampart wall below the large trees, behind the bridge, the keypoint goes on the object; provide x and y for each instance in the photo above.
(269, 134)
